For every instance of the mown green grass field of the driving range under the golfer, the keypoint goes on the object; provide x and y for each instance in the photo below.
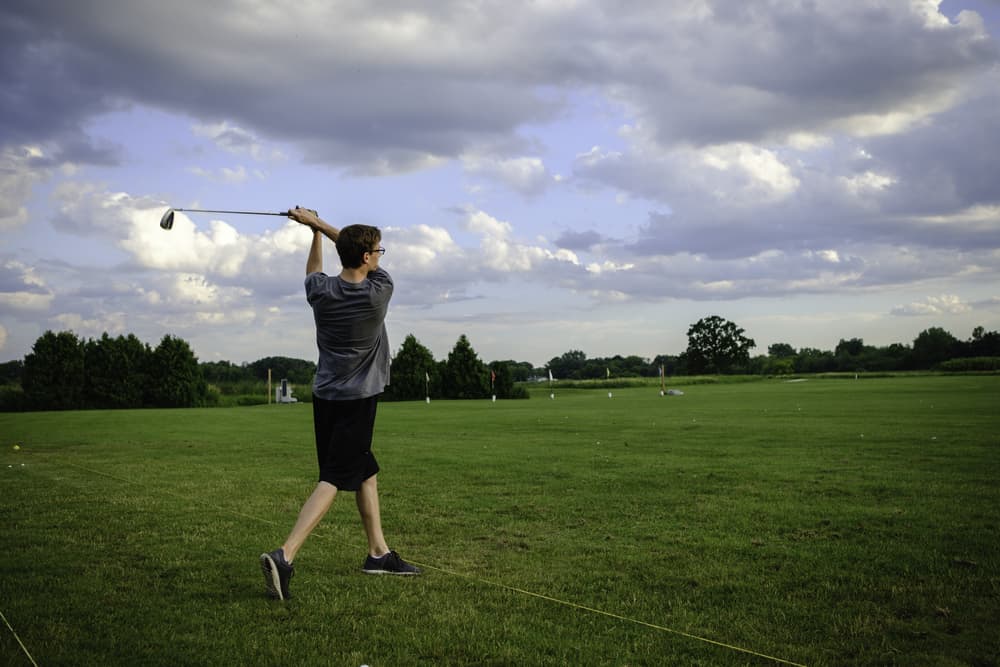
(825, 522)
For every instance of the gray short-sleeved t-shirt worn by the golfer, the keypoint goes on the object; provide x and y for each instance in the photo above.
(351, 335)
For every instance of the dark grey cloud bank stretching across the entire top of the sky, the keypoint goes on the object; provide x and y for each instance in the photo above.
(384, 86)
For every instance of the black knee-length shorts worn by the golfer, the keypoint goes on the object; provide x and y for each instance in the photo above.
(344, 441)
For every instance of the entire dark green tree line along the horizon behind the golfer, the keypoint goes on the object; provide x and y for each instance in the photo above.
(65, 372)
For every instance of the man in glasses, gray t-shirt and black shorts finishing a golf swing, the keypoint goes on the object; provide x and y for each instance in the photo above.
(349, 310)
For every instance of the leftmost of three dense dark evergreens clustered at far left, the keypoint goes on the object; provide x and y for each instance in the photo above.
(54, 372)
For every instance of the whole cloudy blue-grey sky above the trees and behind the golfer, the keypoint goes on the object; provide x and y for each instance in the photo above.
(549, 175)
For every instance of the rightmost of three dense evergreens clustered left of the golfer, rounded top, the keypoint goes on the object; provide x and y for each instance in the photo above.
(175, 377)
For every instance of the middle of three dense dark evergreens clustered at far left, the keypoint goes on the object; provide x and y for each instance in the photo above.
(116, 371)
